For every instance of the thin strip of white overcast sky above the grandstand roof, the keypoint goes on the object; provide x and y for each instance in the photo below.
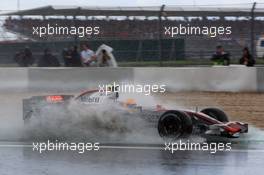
(26, 4)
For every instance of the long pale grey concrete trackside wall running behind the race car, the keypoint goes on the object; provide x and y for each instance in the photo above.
(229, 79)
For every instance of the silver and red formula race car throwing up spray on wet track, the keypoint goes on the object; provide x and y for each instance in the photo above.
(171, 124)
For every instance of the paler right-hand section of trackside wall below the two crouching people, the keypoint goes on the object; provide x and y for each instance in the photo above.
(231, 79)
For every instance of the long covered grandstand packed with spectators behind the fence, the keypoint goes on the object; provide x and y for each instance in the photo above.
(142, 24)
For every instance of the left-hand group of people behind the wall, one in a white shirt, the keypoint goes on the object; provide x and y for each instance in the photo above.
(71, 57)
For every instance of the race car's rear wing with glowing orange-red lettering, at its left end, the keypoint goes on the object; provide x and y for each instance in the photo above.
(31, 104)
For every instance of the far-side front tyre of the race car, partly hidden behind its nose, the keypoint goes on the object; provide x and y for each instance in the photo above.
(216, 113)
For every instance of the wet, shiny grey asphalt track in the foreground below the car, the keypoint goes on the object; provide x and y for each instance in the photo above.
(143, 160)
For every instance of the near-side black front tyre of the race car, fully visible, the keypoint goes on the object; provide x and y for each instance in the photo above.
(175, 124)
